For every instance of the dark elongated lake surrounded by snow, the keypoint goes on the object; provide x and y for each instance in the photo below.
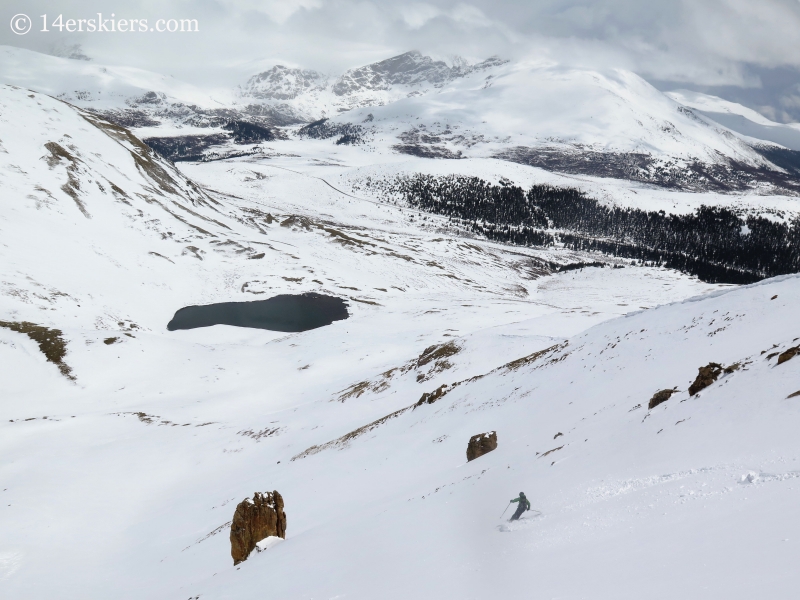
(289, 313)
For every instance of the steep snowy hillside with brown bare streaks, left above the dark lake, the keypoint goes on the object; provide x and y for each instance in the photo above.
(85, 202)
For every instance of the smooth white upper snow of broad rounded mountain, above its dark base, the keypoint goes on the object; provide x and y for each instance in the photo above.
(543, 104)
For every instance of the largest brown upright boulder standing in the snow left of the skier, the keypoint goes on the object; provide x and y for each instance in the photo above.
(255, 519)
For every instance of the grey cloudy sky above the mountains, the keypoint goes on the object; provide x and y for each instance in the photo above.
(744, 50)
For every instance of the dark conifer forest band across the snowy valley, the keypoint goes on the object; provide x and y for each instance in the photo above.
(713, 243)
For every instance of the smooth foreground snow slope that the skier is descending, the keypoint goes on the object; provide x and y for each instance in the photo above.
(690, 498)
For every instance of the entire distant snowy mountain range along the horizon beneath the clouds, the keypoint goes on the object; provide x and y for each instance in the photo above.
(607, 124)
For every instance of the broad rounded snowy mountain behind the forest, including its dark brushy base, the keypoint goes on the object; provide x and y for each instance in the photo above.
(529, 112)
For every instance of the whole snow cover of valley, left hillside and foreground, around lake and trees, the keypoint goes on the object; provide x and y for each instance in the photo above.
(120, 480)
